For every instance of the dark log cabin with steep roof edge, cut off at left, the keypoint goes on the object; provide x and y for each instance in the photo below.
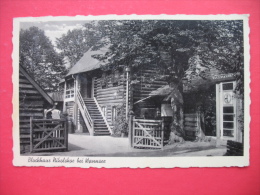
(32, 102)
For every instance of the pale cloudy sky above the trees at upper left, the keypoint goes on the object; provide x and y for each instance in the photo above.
(54, 29)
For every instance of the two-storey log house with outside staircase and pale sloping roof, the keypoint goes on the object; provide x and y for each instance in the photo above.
(93, 96)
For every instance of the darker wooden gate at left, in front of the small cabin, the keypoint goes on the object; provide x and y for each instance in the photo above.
(48, 135)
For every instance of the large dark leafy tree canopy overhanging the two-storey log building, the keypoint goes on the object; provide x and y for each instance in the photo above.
(178, 48)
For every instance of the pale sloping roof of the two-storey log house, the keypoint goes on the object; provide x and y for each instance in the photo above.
(88, 62)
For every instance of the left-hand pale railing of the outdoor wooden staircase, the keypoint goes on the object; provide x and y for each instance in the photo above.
(85, 114)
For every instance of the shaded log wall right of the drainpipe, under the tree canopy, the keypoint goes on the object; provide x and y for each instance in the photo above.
(142, 90)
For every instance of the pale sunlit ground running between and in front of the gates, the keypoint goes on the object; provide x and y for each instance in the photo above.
(85, 145)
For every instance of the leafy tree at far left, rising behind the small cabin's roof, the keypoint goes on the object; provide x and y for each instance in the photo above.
(38, 57)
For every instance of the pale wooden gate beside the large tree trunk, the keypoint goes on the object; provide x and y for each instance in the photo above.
(147, 134)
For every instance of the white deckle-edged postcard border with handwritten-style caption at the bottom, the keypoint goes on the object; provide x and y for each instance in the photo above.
(134, 162)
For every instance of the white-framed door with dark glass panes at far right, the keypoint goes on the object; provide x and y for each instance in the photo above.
(227, 110)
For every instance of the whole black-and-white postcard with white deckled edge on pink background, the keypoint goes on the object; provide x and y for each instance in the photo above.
(131, 91)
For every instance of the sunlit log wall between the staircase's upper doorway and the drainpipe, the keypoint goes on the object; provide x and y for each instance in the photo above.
(110, 96)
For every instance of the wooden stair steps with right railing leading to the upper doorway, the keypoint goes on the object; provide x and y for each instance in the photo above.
(100, 126)
